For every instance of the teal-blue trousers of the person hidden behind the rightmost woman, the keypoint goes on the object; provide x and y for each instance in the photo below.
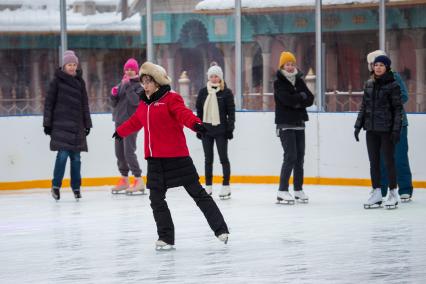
(403, 172)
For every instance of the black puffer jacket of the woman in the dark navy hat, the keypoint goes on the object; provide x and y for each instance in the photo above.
(381, 107)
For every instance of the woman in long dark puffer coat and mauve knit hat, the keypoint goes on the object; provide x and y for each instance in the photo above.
(67, 120)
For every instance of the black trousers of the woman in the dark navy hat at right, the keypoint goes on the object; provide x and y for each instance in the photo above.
(380, 143)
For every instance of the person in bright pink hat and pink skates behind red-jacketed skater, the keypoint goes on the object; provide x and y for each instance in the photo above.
(125, 100)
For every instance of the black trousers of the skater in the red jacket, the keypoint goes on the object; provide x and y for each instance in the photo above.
(163, 218)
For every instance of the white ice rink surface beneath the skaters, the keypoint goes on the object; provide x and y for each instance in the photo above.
(110, 239)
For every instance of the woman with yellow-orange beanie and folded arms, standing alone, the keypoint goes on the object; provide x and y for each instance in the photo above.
(292, 97)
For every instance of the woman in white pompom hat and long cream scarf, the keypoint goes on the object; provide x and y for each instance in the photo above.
(216, 108)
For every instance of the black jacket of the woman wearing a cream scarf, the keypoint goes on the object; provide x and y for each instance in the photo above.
(225, 100)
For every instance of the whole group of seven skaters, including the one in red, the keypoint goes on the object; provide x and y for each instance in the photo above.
(144, 99)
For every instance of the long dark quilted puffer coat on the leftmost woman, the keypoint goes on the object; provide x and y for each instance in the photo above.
(66, 112)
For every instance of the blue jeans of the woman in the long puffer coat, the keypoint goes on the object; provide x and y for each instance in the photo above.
(59, 171)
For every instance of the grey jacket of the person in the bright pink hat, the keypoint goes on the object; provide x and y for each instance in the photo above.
(127, 100)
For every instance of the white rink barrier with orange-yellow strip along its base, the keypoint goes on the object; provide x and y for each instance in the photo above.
(255, 152)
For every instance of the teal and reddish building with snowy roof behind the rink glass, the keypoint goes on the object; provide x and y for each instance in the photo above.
(189, 34)
